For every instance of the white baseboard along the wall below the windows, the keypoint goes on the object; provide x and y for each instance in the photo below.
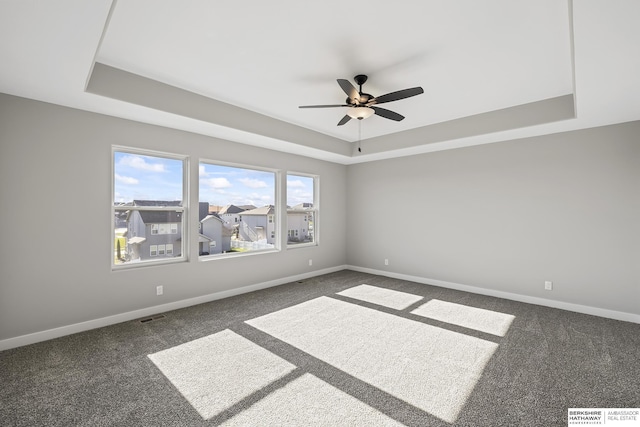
(35, 337)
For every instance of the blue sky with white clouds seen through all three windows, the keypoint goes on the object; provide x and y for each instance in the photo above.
(139, 177)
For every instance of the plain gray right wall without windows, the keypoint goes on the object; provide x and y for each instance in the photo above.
(508, 216)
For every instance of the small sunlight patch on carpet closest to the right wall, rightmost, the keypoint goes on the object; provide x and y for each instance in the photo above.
(491, 322)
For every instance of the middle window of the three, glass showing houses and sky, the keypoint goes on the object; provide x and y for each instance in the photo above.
(249, 222)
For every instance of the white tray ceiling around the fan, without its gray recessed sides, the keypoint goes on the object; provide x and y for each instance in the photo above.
(470, 57)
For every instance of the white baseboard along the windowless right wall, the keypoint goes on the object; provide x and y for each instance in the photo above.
(584, 309)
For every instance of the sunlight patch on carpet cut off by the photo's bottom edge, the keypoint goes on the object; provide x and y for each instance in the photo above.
(309, 401)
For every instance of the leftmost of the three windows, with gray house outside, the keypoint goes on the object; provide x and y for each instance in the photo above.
(148, 207)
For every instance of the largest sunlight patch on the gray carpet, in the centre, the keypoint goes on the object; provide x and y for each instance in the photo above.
(431, 368)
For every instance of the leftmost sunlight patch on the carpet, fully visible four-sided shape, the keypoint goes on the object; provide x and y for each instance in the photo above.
(217, 371)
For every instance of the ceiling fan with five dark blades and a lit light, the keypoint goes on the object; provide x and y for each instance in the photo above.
(362, 105)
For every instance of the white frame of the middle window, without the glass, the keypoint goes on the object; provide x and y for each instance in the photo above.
(278, 177)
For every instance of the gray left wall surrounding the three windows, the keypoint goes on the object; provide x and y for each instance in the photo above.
(55, 165)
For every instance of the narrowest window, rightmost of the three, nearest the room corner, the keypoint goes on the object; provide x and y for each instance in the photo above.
(302, 210)
